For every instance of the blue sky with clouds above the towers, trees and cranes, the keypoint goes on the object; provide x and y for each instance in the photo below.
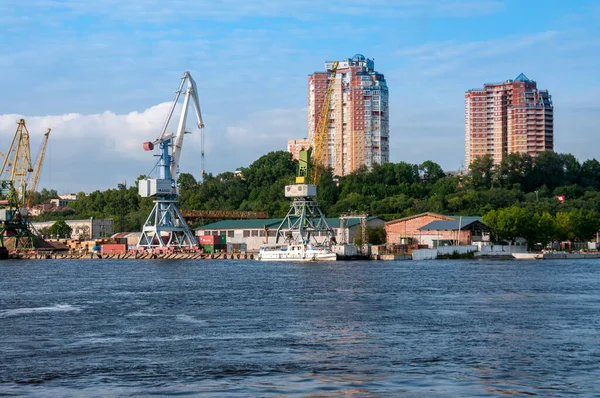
(101, 74)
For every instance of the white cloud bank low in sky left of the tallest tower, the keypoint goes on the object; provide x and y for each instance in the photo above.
(97, 151)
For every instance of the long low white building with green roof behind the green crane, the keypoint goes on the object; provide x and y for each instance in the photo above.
(255, 233)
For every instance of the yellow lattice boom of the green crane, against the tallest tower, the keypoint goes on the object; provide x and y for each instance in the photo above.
(320, 138)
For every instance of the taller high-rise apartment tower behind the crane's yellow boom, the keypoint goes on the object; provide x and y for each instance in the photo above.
(359, 115)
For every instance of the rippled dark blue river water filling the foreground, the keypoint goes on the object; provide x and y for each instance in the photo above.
(247, 329)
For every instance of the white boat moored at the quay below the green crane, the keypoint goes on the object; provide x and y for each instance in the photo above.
(295, 252)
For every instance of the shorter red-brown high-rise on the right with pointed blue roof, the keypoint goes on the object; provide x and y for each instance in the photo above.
(508, 117)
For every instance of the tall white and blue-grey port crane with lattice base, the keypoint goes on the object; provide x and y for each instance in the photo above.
(165, 227)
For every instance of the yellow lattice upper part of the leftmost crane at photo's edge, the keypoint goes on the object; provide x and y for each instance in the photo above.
(17, 161)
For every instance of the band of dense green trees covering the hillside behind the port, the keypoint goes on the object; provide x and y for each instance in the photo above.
(390, 191)
